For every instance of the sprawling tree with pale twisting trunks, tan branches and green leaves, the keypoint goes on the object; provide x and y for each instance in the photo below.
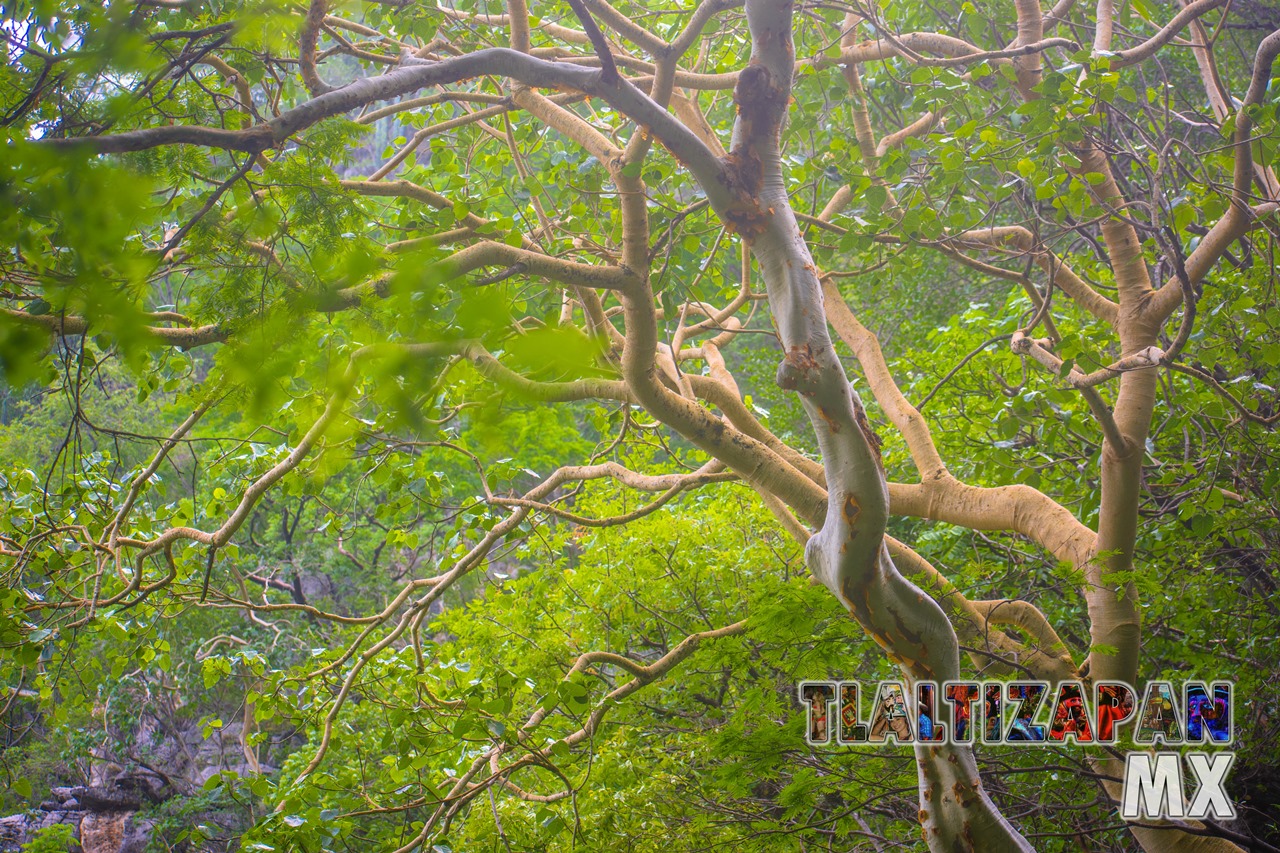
(595, 216)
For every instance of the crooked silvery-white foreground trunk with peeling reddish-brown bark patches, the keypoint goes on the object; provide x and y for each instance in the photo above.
(848, 554)
